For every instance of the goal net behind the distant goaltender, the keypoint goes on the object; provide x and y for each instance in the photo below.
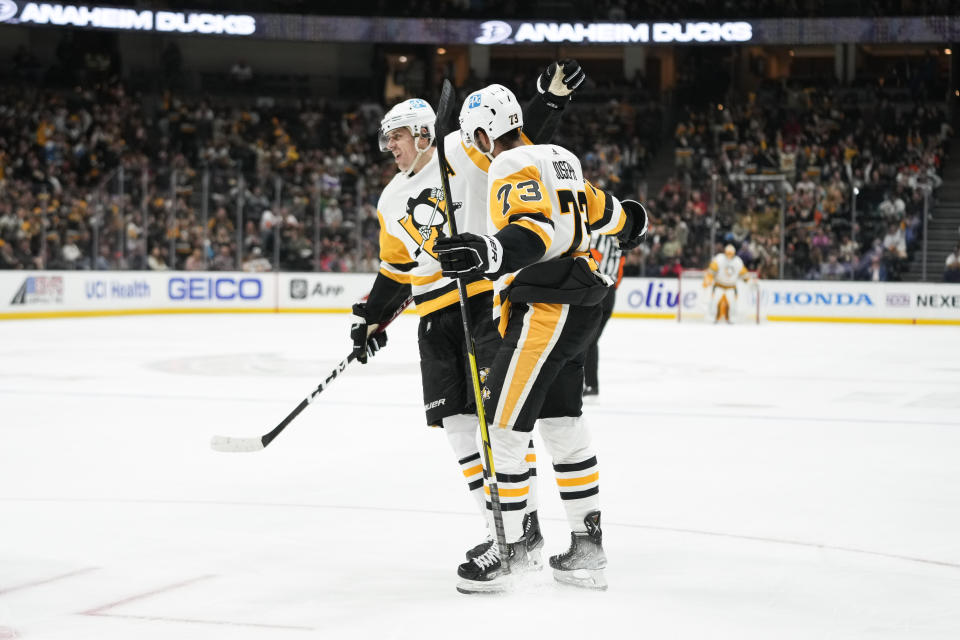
(697, 303)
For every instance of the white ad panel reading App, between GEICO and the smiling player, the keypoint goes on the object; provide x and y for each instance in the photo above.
(329, 291)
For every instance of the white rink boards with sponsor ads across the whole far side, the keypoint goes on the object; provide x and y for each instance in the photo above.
(52, 294)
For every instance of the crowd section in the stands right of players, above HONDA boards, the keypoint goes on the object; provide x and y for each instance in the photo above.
(849, 169)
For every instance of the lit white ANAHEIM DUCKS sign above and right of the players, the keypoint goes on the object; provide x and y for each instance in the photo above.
(500, 32)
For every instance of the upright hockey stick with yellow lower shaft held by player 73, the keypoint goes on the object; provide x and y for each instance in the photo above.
(444, 111)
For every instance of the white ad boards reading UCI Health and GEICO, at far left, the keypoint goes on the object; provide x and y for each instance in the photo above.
(29, 292)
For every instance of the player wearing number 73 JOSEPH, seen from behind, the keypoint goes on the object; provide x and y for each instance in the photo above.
(547, 295)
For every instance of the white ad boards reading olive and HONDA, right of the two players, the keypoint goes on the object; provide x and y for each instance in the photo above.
(785, 299)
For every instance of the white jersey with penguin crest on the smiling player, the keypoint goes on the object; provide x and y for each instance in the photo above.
(413, 215)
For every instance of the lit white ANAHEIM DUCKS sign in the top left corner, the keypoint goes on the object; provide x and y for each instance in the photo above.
(96, 17)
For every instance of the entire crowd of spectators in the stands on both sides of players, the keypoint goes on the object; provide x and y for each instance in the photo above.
(97, 177)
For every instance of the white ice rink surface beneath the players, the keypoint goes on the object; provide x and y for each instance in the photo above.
(781, 481)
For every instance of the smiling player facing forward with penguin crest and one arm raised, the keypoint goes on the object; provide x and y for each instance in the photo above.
(413, 215)
